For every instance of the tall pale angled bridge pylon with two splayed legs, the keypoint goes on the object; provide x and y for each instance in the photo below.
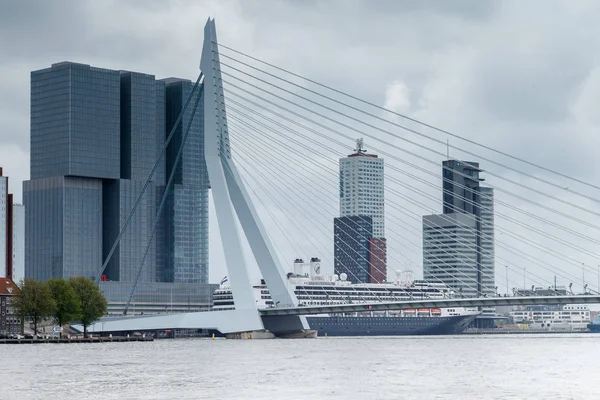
(229, 195)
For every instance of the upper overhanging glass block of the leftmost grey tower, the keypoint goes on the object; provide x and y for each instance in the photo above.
(75, 122)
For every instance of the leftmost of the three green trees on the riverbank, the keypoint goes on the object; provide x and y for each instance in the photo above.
(34, 301)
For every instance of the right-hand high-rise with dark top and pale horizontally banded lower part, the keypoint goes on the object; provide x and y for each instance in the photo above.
(458, 245)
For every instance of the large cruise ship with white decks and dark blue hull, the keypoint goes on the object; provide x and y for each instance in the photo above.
(312, 287)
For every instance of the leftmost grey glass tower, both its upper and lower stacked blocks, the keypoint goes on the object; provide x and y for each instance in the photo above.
(75, 146)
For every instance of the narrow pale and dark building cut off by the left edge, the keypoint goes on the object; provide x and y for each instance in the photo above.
(6, 229)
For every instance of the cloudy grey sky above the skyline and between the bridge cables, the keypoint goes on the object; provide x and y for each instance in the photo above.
(520, 77)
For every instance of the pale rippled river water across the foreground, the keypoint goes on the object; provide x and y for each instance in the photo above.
(442, 367)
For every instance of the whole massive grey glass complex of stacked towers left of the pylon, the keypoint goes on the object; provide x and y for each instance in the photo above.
(95, 136)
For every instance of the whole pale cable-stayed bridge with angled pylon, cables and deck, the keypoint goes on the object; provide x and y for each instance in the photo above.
(272, 140)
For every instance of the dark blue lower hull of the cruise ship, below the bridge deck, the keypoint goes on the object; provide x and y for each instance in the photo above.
(389, 326)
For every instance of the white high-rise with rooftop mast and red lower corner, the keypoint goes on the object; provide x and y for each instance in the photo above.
(362, 195)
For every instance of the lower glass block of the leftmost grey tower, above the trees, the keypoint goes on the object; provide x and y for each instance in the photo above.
(63, 227)
